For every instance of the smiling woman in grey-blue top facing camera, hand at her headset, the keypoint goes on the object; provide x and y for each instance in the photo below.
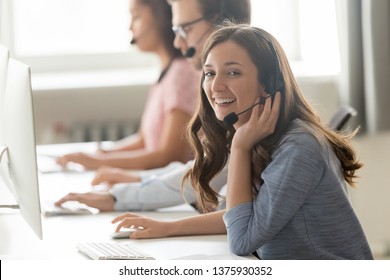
(287, 187)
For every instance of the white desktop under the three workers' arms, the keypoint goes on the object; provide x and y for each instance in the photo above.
(61, 233)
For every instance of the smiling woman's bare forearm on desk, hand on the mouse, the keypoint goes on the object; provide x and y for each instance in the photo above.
(204, 224)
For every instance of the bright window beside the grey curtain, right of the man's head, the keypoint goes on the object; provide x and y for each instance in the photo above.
(306, 29)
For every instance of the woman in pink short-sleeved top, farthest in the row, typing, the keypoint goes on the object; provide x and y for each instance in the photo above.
(170, 104)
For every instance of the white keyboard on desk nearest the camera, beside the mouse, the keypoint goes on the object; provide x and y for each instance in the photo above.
(111, 251)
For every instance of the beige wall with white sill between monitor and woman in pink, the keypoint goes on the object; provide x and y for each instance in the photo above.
(68, 101)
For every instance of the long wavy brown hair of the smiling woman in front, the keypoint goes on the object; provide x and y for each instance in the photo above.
(211, 139)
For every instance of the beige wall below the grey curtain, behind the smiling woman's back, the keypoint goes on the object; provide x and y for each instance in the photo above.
(371, 198)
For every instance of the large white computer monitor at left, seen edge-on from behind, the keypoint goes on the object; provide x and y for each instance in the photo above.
(18, 161)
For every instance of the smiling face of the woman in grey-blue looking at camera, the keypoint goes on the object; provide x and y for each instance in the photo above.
(231, 83)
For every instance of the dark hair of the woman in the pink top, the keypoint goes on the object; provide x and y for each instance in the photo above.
(163, 14)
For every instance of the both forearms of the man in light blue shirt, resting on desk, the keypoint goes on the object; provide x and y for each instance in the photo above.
(151, 193)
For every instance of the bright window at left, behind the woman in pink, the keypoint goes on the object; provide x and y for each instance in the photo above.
(69, 34)
